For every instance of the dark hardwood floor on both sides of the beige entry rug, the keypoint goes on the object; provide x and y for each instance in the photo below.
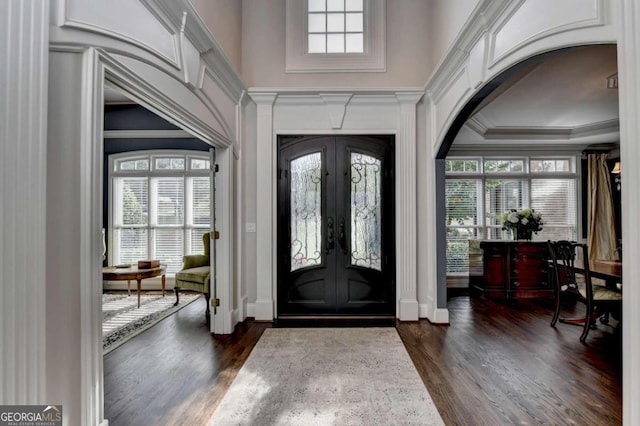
(496, 364)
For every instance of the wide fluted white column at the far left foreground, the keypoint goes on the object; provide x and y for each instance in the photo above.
(23, 123)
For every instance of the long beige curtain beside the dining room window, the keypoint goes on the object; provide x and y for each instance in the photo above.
(601, 238)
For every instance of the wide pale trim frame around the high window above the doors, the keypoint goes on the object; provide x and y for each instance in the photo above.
(372, 60)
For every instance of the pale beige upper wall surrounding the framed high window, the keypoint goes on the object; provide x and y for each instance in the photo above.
(408, 49)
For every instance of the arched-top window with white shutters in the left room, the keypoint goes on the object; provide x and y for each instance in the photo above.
(160, 206)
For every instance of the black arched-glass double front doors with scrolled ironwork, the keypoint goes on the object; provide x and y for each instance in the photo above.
(336, 227)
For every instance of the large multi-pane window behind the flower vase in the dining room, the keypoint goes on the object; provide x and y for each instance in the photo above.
(479, 190)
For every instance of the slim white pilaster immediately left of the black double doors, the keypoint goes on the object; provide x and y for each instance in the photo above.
(265, 209)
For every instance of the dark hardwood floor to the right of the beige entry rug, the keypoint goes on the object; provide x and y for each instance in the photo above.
(507, 366)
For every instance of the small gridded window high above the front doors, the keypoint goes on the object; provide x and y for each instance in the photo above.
(335, 26)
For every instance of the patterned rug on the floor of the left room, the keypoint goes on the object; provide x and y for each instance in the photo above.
(122, 319)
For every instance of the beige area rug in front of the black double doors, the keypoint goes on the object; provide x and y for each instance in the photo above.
(327, 376)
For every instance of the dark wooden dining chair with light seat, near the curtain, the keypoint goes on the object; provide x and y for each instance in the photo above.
(570, 279)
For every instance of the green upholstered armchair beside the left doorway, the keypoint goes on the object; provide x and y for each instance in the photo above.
(195, 274)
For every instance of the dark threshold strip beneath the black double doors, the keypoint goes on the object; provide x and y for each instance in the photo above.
(335, 321)
